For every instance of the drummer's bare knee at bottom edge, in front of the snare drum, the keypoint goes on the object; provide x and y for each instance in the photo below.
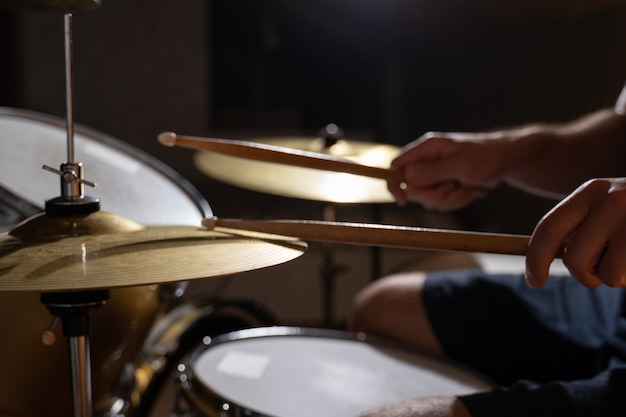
(431, 407)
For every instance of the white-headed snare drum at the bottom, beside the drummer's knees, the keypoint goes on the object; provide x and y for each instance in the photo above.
(290, 371)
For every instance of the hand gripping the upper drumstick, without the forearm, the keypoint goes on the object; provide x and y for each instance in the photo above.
(446, 171)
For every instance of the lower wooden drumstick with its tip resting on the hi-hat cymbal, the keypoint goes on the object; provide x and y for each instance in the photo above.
(382, 235)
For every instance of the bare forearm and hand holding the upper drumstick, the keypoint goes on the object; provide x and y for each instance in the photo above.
(446, 171)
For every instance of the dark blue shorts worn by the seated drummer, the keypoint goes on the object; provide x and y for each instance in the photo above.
(529, 339)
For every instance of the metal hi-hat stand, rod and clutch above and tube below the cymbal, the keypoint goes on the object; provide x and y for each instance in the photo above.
(74, 308)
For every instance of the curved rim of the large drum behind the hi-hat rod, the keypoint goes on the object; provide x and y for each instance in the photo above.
(159, 166)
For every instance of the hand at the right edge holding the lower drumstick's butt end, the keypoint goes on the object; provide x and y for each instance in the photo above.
(590, 226)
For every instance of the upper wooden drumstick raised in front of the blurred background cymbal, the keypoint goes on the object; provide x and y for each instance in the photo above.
(279, 155)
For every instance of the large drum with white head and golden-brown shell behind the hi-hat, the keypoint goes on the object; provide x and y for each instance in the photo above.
(34, 379)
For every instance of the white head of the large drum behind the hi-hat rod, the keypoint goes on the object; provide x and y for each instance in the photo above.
(130, 183)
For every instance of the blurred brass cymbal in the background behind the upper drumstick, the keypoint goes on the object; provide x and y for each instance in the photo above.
(306, 183)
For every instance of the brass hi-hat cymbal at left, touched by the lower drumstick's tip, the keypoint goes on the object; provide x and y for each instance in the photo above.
(50, 253)
